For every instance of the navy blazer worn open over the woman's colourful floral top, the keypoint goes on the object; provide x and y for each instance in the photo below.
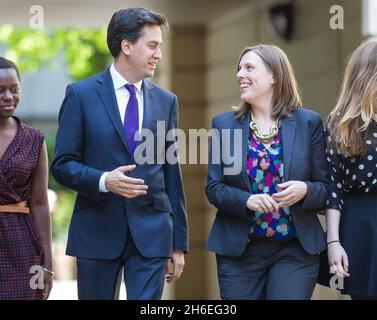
(304, 159)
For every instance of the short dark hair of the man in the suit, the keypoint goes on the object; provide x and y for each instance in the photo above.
(127, 24)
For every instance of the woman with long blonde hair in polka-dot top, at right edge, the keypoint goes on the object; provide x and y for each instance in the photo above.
(351, 210)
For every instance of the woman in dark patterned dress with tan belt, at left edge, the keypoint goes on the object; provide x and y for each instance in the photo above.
(25, 224)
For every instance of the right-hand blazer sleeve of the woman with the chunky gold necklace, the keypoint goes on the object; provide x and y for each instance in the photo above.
(318, 184)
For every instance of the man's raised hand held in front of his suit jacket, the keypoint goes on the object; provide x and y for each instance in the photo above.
(117, 182)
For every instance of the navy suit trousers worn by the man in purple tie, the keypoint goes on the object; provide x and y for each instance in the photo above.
(100, 279)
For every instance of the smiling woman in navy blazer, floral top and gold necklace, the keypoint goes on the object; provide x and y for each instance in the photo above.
(267, 178)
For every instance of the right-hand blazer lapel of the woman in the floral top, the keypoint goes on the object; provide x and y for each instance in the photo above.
(288, 135)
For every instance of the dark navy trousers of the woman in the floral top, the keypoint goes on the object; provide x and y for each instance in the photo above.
(268, 269)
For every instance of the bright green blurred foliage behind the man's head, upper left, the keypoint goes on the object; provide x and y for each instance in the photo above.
(84, 50)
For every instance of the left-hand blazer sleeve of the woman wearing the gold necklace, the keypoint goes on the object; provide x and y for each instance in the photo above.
(227, 199)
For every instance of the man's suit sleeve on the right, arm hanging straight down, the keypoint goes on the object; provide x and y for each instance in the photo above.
(174, 187)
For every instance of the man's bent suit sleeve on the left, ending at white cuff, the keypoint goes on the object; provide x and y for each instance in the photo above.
(67, 167)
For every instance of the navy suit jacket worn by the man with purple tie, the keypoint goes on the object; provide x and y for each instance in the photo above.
(90, 141)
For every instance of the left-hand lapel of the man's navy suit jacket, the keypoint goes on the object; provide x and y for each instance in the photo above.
(107, 95)
